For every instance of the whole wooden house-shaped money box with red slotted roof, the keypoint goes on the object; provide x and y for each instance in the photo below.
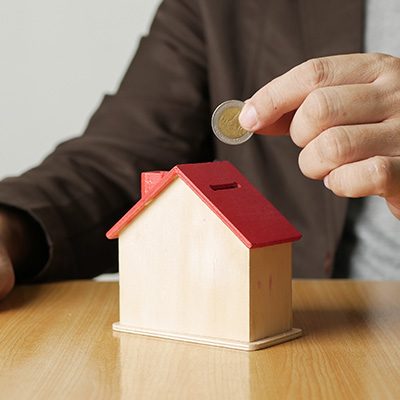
(205, 258)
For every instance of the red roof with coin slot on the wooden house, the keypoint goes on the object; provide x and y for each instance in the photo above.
(253, 219)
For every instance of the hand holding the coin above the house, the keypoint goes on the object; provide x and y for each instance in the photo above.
(344, 111)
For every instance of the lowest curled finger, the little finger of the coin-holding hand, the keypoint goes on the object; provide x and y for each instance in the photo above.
(374, 176)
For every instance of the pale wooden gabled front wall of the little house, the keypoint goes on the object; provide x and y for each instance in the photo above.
(181, 268)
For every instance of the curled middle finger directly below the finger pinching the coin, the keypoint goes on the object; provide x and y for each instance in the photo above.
(335, 106)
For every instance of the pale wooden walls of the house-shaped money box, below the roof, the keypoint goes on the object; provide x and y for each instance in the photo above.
(184, 274)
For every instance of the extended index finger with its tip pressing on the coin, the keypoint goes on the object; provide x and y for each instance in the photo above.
(288, 91)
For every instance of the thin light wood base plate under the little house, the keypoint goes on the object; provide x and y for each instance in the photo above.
(232, 344)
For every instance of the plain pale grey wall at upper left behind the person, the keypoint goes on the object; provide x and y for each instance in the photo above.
(58, 58)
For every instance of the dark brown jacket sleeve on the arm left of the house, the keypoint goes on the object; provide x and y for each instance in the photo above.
(157, 119)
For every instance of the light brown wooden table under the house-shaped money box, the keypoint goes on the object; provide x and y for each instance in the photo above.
(56, 342)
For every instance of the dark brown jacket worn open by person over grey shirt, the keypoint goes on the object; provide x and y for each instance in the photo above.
(198, 54)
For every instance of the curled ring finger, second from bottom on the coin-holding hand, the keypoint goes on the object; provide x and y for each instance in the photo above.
(346, 144)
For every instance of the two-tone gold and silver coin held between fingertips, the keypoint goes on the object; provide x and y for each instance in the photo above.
(225, 123)
